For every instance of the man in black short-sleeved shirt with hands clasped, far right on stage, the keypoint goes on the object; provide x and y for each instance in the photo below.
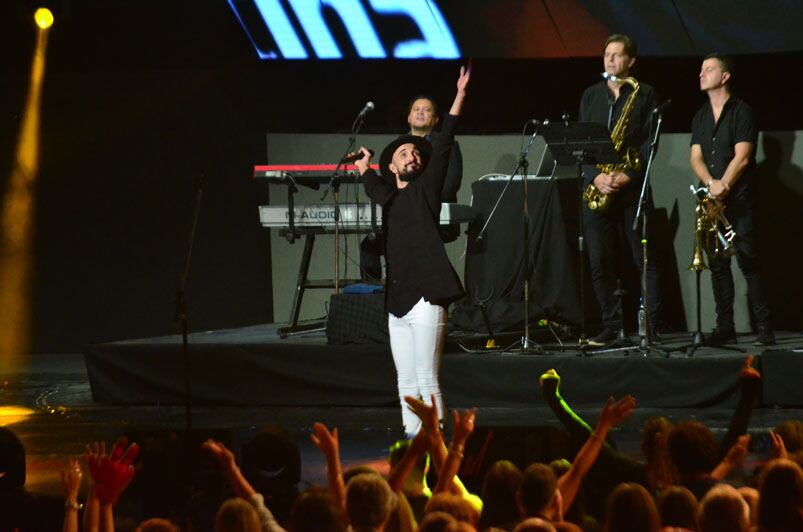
(723, 141)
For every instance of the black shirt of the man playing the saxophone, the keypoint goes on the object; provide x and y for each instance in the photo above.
(598, 106)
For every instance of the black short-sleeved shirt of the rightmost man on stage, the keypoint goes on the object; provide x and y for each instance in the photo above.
(717, 140)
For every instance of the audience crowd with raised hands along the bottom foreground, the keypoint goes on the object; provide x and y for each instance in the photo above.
(687, 482)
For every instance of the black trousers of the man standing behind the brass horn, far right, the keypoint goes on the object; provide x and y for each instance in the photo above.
(739, 212)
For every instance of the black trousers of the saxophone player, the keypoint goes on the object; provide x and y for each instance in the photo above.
(601, 231)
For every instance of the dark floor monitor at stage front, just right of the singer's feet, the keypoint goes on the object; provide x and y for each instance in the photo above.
(520, 445)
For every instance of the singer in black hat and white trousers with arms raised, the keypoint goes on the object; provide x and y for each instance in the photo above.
(421, 281)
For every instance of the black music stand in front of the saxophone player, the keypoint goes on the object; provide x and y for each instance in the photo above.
(582, 143)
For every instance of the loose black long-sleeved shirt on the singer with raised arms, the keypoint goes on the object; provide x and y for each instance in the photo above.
(417, 263)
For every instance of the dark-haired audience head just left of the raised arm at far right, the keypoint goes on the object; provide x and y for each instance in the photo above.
(693, 449)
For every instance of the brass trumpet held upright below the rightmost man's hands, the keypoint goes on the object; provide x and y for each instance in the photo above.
(711, 226)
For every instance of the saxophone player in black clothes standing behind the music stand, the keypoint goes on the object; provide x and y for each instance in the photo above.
(604, 102)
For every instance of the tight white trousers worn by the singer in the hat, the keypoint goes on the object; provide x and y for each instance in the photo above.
(416, 341)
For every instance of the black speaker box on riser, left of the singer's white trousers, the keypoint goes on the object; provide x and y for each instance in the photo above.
(357, 319)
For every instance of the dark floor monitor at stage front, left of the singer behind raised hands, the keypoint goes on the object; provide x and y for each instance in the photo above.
(175, 477)
